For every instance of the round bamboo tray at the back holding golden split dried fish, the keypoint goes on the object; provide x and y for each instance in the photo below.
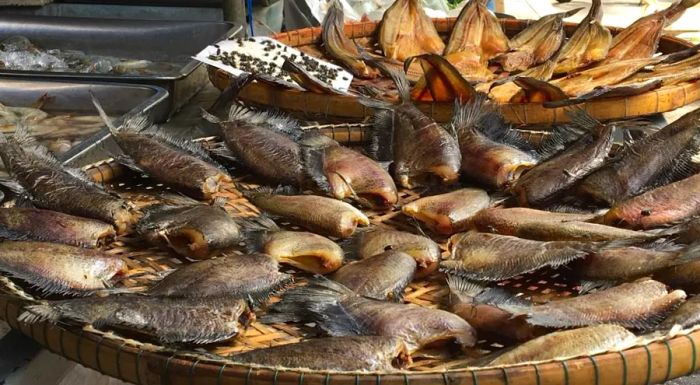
(335, 108)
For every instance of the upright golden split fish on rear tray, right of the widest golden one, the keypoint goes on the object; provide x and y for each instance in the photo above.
(477, 32)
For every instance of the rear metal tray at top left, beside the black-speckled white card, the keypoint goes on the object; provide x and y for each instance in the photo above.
(169, 41)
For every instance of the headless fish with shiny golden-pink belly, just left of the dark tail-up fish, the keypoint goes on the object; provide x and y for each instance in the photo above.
(347, 174)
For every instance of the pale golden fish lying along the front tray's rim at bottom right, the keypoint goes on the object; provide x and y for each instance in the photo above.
(566, 344)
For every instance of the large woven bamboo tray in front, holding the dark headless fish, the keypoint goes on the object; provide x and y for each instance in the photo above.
(145, 363)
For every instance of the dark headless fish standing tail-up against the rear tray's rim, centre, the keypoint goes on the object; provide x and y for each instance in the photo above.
(423, 152)
